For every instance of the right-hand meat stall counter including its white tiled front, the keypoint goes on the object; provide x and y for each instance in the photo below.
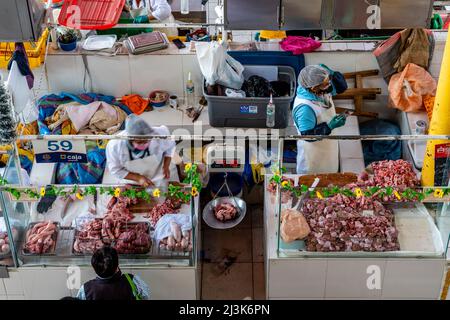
(376, 235)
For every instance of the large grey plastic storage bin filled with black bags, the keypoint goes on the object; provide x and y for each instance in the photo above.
(251, 112)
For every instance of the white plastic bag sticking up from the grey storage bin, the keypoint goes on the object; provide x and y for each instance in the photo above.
(218, 67)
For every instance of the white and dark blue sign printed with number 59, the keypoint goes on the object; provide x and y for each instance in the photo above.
(56, 151)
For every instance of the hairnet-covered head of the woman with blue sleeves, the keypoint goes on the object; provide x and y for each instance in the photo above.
(316, 79)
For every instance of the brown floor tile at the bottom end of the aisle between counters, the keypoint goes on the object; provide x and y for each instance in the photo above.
(227, 283)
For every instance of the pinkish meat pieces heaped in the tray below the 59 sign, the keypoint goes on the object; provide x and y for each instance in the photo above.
(41, 238)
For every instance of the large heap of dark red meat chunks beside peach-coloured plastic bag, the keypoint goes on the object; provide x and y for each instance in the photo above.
(349, 224)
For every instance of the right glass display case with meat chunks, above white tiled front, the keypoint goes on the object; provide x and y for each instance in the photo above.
(370, 209)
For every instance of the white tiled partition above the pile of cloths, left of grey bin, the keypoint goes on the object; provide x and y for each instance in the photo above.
(122, 75)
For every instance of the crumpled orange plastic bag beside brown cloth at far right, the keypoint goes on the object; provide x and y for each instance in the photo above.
(408, 88)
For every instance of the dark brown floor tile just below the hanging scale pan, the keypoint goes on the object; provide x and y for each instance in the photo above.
(233, 243)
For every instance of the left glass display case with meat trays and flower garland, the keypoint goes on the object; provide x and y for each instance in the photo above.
(55, 226)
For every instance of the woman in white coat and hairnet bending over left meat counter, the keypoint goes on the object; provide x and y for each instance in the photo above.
(141, 161)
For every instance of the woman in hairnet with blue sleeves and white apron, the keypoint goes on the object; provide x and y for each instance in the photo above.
(314, 114)
